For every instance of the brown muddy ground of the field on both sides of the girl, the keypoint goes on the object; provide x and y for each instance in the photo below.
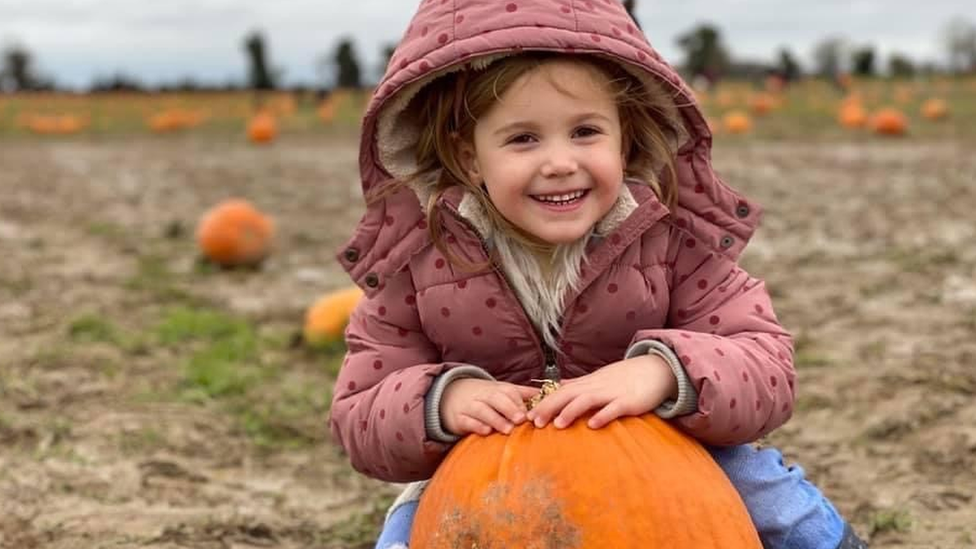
(147, 400)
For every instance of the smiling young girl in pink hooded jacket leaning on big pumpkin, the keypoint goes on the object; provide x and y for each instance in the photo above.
(541, 204)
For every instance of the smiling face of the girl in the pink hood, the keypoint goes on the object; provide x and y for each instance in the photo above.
(549, 151)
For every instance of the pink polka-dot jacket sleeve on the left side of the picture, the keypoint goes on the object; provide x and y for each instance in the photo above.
(377, 411)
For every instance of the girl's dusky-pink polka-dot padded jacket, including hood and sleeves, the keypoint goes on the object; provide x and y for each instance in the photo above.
(657, 275)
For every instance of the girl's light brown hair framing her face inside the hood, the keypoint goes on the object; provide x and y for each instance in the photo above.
(450, 107)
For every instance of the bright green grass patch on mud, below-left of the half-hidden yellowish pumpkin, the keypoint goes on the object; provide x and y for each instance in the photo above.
(225, 361)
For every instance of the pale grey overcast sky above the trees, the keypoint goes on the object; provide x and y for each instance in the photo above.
(163, 40)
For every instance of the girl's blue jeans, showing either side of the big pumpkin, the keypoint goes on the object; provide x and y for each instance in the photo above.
(789, 512)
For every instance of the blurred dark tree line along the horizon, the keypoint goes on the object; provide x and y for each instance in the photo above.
(706, 56)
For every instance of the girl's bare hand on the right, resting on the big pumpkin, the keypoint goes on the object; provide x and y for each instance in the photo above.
(630, 387)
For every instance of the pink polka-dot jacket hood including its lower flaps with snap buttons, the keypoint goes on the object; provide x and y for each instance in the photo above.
(447, 35)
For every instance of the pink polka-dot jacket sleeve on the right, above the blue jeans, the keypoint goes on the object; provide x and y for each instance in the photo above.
(722, 328)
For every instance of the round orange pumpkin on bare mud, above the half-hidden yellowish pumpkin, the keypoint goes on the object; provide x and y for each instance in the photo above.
(235, 234)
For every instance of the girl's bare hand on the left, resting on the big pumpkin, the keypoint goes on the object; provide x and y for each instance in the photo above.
(480, 406)
